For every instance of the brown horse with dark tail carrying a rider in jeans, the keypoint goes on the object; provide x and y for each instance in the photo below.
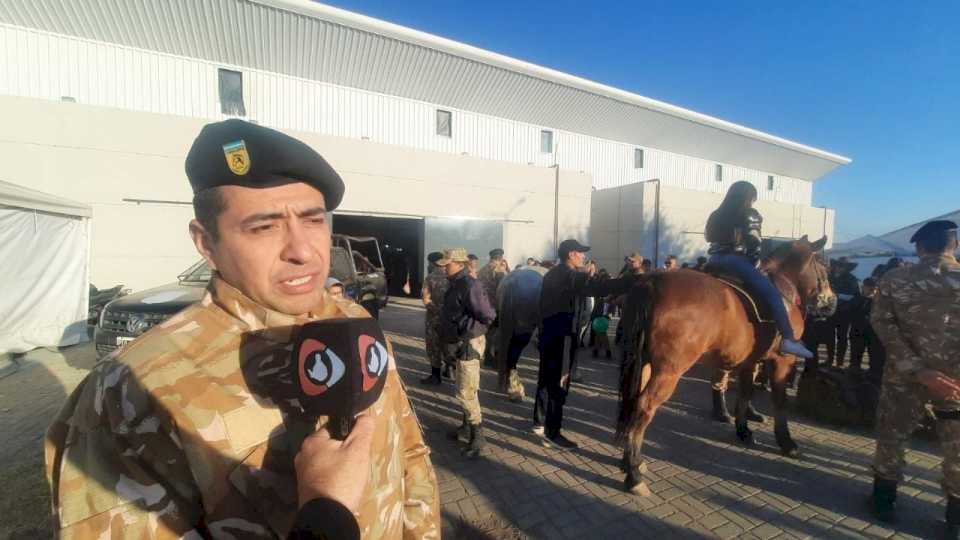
(680, 318)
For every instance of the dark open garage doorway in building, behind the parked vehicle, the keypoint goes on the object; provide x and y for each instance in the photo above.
(401, 245)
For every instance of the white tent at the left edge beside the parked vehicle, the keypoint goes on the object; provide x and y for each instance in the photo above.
(44, 275)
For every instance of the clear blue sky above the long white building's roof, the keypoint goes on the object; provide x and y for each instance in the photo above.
(875, 81)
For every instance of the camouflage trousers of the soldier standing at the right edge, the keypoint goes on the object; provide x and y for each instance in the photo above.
(898, 415)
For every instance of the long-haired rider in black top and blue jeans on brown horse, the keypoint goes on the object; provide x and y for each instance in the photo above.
(733, 231)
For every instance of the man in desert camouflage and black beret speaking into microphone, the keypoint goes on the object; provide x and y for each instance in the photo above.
(175, 437)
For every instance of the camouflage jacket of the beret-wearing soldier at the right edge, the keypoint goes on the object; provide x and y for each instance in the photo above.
(916, 315)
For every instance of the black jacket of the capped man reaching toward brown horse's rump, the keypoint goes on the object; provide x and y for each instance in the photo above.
(562, 286)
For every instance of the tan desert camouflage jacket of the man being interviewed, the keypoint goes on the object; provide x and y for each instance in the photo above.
(167, 439)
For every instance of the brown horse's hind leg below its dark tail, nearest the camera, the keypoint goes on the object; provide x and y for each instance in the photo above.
(657, 391)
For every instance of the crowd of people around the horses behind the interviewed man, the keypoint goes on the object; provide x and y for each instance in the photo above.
(576, 300)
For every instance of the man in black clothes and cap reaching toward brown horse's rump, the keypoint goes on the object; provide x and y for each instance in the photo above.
(562, 285)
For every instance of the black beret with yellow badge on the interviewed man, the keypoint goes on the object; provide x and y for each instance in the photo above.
(239, 153)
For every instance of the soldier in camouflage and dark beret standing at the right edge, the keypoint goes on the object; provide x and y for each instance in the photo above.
(916, 315)
